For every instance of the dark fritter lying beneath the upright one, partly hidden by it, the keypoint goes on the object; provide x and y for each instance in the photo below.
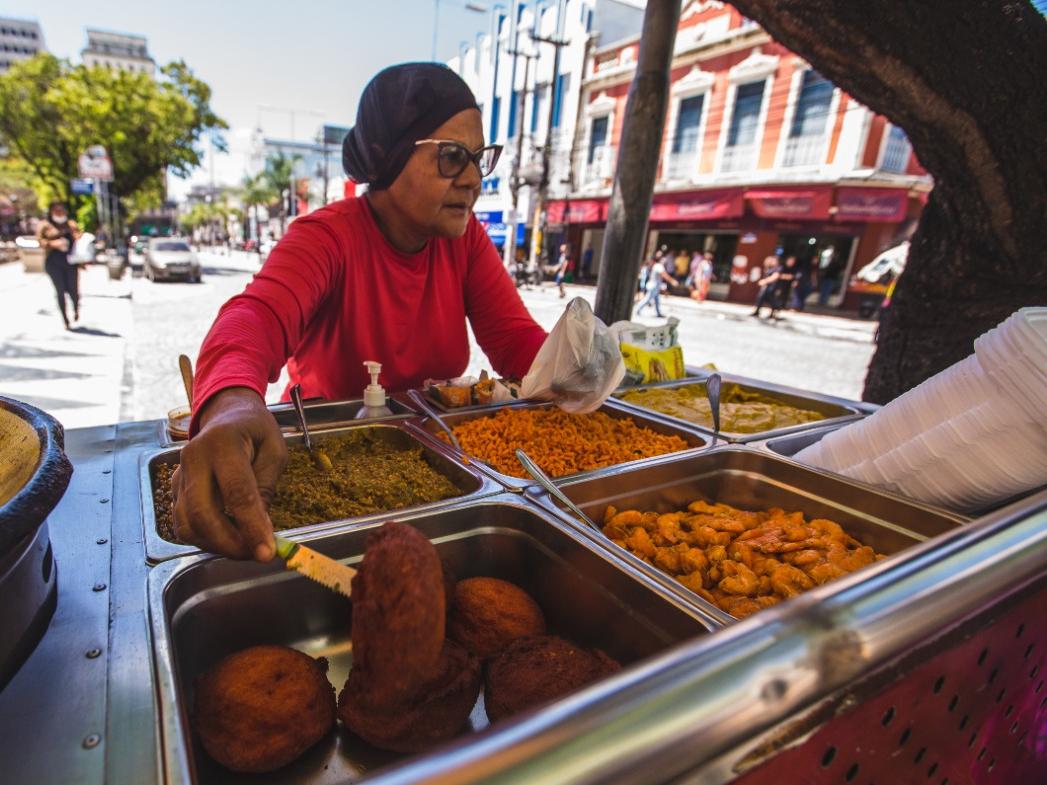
(440, 711)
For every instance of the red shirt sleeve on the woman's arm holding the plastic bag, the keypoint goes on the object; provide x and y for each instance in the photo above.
(506, 332)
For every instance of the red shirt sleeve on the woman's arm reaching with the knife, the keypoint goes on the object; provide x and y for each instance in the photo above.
(257, 331)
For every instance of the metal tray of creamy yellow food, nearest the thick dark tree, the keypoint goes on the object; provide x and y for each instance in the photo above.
(837, 411)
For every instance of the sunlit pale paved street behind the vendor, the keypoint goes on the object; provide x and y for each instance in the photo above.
(121, 363)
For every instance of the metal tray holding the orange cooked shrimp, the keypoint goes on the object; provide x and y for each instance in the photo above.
(749, 480)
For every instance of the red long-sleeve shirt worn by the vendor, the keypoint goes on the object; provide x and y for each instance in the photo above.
(335, 293)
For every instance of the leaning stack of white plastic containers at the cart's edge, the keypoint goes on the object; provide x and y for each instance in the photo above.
(971, 437)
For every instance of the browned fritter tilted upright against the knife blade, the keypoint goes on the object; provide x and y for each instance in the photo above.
(398, 615)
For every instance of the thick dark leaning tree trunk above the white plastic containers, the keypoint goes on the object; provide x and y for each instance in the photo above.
(967, 83)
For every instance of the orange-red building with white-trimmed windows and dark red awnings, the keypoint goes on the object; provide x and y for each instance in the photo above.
(762, 156)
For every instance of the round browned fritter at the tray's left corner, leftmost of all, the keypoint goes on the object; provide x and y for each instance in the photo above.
(260, 709)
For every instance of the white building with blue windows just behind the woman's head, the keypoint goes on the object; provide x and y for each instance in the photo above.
(527, 76)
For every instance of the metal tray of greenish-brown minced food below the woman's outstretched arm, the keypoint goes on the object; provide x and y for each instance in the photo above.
(473, 484)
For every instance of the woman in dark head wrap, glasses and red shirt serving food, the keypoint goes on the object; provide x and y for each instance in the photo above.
(390, 277)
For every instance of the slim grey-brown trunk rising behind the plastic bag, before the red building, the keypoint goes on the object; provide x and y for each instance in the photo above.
(638, 154)
